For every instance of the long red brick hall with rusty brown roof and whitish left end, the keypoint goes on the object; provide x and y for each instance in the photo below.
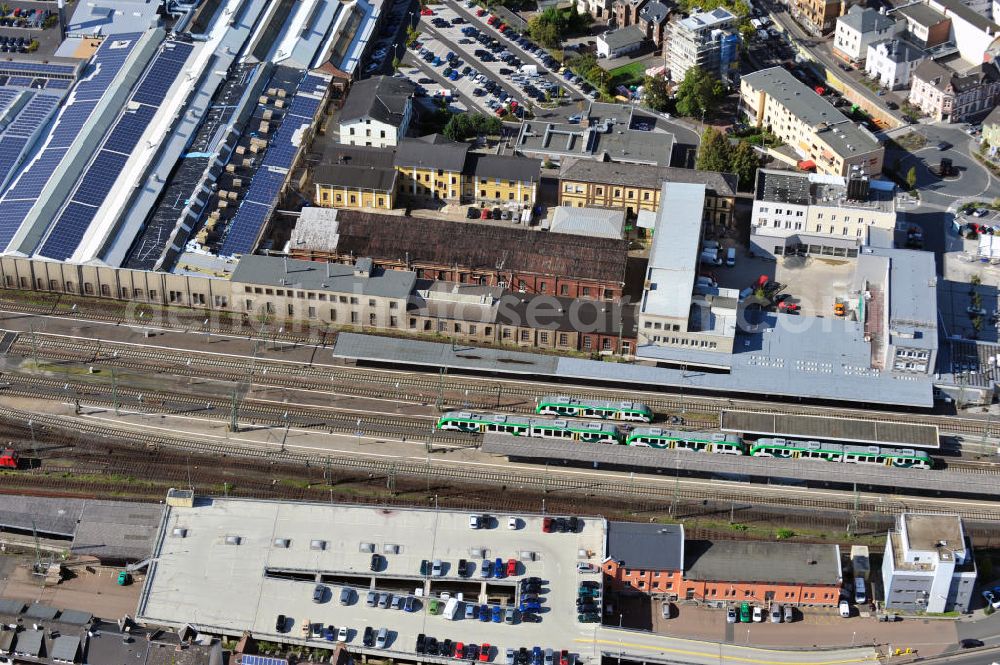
(530, 262)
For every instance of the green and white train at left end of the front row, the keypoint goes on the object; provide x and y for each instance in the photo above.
(577, 430)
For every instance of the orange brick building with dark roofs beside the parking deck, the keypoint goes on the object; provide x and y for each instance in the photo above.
(654, 559)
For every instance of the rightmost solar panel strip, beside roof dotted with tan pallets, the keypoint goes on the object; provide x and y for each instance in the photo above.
(263, 192)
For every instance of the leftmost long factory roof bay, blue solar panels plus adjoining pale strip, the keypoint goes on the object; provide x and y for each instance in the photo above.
(28, 204)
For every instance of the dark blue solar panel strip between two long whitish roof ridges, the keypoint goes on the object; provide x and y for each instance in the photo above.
(93, 187)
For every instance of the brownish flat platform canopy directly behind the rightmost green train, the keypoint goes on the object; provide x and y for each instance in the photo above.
(828, 428)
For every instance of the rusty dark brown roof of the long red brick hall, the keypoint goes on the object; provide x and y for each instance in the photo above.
(409, 240)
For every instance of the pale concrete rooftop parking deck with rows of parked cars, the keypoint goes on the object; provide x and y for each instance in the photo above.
(228, 587)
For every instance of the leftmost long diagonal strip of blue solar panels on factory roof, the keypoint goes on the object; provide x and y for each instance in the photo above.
(19, 198)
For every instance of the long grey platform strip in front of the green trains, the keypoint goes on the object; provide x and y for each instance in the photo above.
(656, 461)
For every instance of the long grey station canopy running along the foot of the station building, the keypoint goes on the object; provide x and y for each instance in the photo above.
(746, 376)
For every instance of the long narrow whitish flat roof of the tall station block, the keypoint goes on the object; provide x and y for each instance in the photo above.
(673, 258)
